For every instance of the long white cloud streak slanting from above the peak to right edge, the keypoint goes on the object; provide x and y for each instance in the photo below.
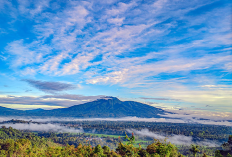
(167, 66)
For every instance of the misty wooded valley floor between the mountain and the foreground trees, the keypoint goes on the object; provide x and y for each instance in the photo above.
(209, 138)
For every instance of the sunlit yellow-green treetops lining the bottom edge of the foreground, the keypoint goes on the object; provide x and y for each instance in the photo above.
(23, 147)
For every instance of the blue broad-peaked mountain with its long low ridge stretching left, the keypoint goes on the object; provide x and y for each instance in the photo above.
(101, 108)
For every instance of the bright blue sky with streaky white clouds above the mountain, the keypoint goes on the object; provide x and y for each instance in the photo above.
(171, 54)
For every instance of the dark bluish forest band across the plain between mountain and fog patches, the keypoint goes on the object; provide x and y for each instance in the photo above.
(197, 131)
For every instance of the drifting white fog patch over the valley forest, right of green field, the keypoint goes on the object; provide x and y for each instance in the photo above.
(174, 139)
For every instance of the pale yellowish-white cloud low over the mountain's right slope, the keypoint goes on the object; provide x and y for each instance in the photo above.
(218, 98)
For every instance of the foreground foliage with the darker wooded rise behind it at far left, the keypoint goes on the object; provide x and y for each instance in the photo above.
(32, 145)
